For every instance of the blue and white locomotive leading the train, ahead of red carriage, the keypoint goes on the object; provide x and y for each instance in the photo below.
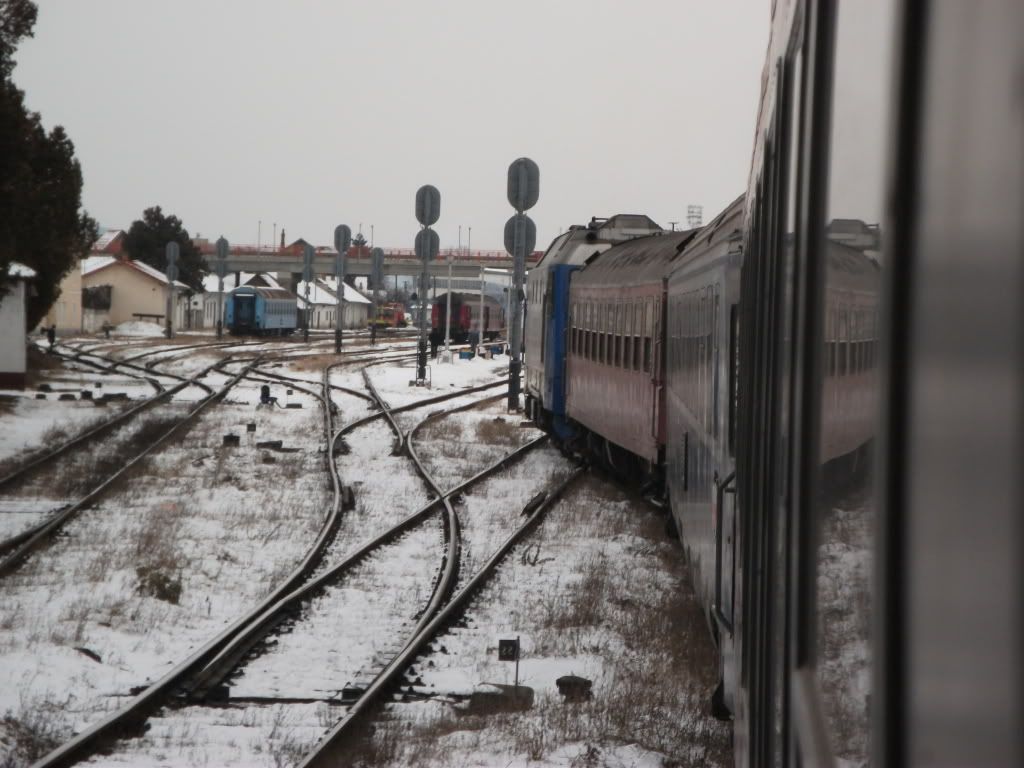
(547, 310)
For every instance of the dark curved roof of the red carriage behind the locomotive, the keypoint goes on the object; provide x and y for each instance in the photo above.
(636, 262)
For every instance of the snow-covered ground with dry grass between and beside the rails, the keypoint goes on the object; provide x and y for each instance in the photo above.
(199, 534)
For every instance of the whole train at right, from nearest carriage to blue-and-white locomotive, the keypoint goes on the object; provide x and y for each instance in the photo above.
(844, 373)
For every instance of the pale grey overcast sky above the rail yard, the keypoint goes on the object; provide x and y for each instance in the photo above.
(318, 113)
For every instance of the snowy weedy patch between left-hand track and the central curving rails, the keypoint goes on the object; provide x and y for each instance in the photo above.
(162, 564)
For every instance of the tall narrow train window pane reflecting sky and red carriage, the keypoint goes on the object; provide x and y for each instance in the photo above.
(845, 515)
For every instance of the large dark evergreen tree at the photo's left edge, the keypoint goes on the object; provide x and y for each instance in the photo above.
(41, 225)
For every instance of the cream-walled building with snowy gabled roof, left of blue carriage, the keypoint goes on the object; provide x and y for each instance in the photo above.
(138, 292)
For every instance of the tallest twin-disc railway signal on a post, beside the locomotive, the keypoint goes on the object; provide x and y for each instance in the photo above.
(521, 237)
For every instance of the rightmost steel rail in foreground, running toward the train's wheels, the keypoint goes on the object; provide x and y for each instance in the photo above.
(324, 755)
